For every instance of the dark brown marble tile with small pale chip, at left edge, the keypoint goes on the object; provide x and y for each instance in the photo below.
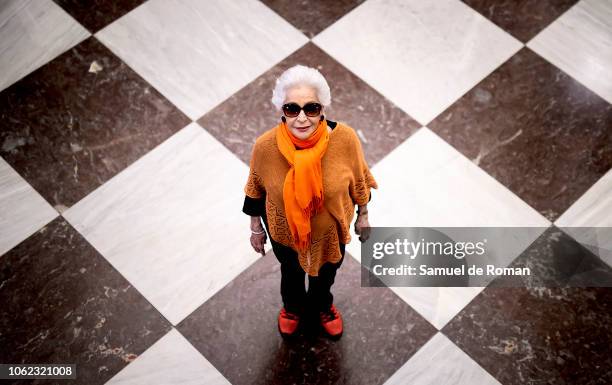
(67, 129)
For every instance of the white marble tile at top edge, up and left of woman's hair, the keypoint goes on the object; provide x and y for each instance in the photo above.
(198, 53)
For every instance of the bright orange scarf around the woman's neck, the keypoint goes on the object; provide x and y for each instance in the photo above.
(303, 188)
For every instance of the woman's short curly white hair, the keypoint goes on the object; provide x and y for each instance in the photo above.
(300, 75)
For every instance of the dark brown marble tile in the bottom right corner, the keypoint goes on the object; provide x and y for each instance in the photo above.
(555, 329)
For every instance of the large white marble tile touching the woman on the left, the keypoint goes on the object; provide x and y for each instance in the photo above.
(172, 222)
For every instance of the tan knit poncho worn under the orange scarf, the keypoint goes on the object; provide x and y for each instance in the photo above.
(346, 182)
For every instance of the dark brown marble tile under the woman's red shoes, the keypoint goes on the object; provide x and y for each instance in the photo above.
(236, 330)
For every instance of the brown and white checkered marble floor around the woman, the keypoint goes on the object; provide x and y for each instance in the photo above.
(125, 135)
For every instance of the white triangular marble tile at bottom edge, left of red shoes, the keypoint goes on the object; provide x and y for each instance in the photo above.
(171, 360)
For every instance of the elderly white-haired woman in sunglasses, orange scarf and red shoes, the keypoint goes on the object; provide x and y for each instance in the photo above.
(306, 176)
